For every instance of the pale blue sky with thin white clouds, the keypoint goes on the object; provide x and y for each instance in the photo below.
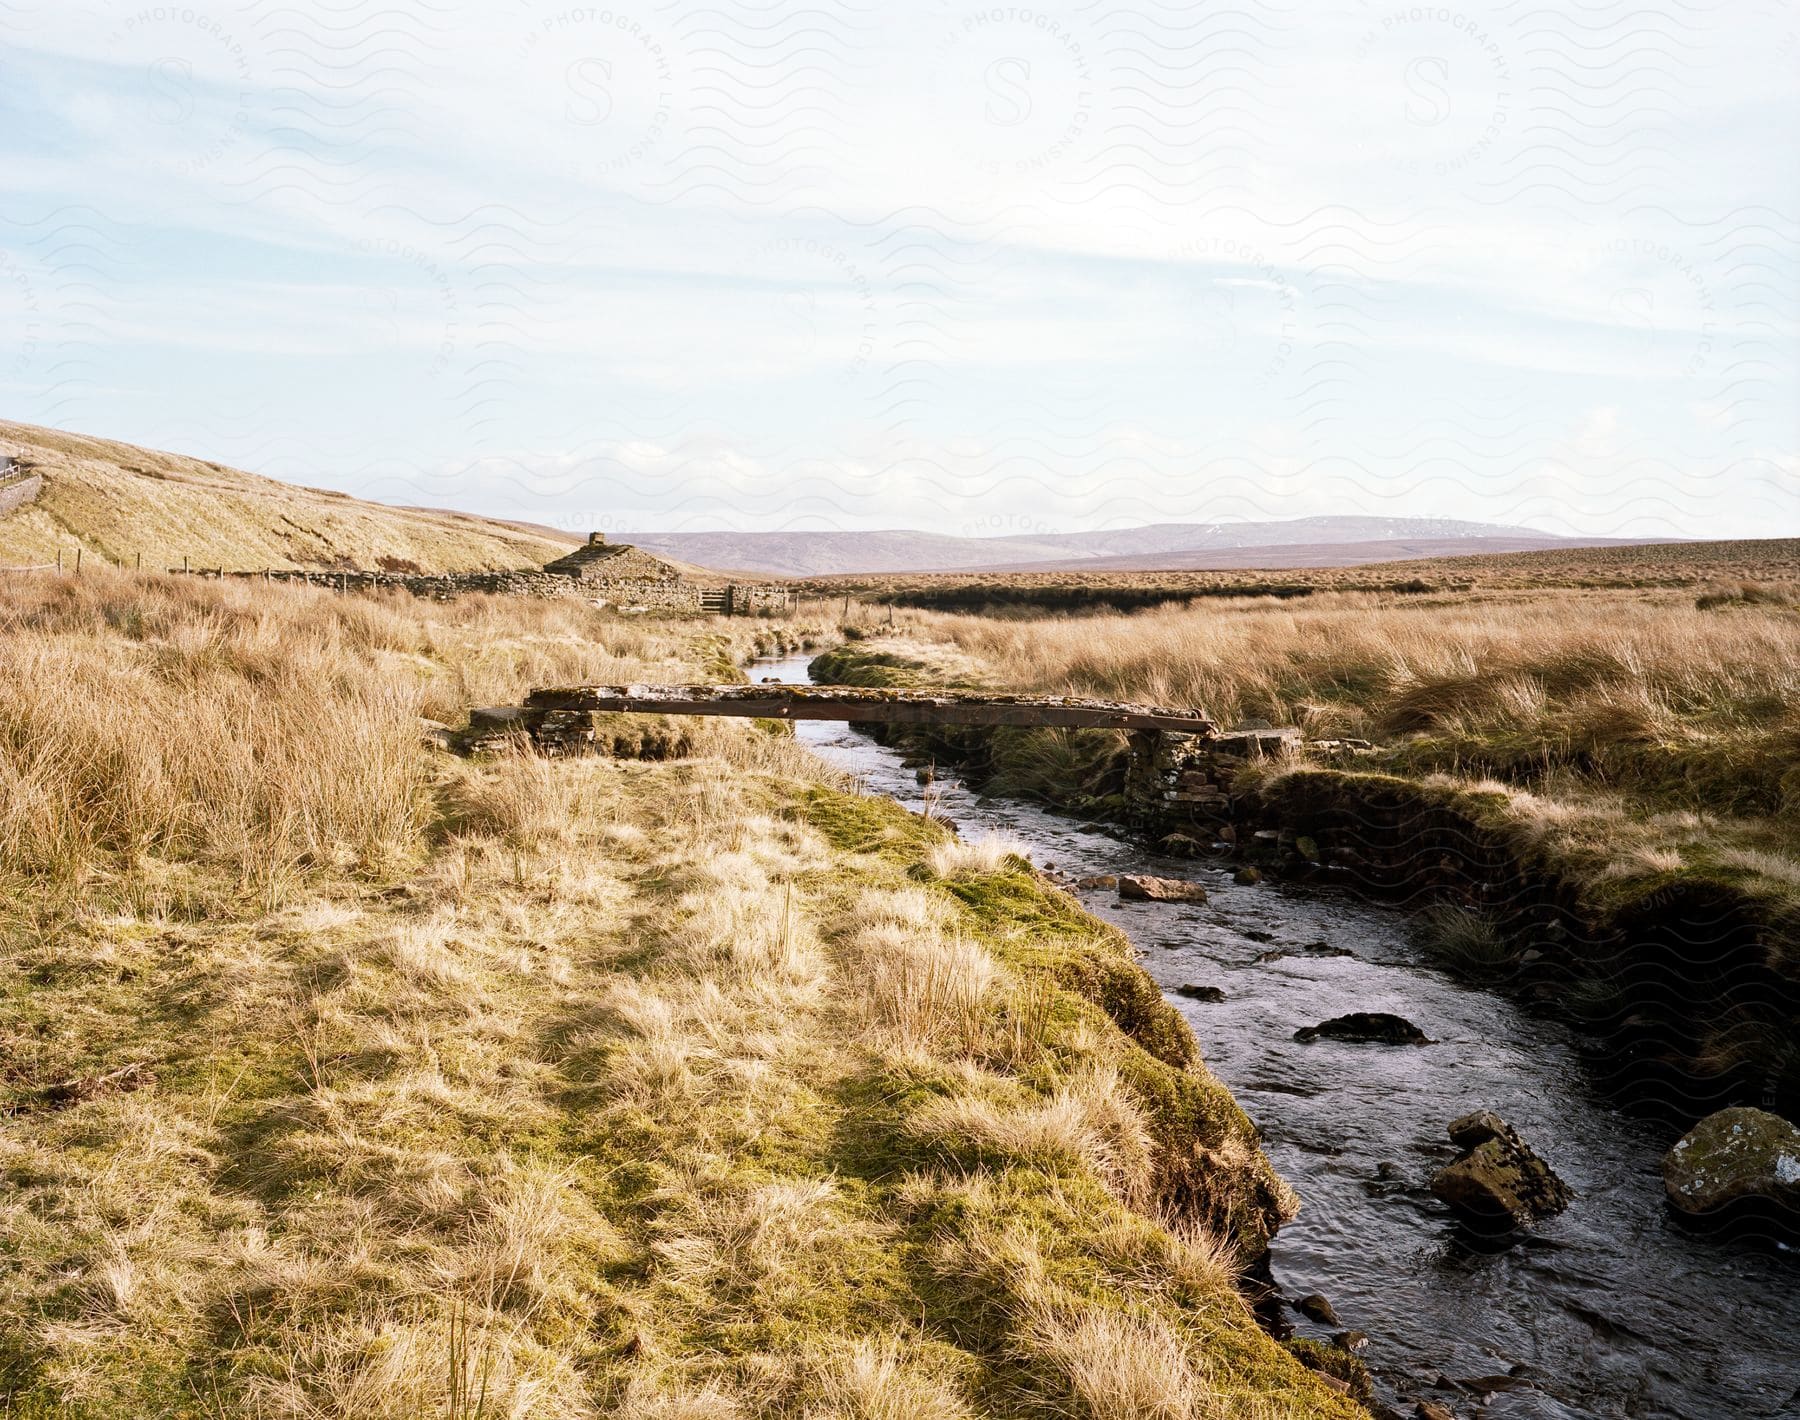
(973, 269)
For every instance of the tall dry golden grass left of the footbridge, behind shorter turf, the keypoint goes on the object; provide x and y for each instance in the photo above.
(271, 730)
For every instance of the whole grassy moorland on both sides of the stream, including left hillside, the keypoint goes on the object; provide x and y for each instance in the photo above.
(348, 1077)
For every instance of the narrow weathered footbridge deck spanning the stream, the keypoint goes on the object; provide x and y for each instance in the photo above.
(843, 703)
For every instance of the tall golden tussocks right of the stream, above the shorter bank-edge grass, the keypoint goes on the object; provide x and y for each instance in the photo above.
(1632, 692)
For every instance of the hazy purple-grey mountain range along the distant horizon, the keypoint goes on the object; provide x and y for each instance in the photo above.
(1165, 546)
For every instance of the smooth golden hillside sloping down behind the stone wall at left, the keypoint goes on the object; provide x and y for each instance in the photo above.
(116, 503)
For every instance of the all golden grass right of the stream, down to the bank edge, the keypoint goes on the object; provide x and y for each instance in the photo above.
(1628, 737)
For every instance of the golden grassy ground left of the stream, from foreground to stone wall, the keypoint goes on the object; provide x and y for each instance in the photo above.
(345, 1081)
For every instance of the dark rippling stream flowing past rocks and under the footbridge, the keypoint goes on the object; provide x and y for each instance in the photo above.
(1605, 1311)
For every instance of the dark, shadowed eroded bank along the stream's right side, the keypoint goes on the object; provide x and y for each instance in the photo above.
(1687, 982)
